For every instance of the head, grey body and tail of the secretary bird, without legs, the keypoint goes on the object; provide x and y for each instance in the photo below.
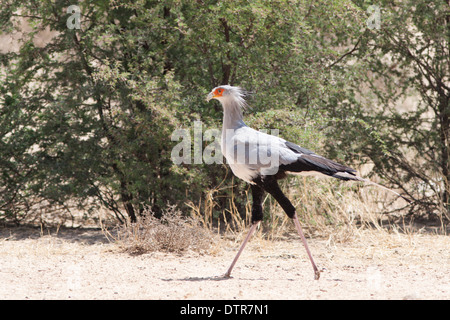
(242, 144)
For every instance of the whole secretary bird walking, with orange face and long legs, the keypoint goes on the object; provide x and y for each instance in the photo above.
(261, 159)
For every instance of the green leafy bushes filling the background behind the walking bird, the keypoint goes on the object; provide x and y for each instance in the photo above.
(86, 117)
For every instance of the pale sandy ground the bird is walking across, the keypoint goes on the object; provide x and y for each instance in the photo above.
(82, 264)
